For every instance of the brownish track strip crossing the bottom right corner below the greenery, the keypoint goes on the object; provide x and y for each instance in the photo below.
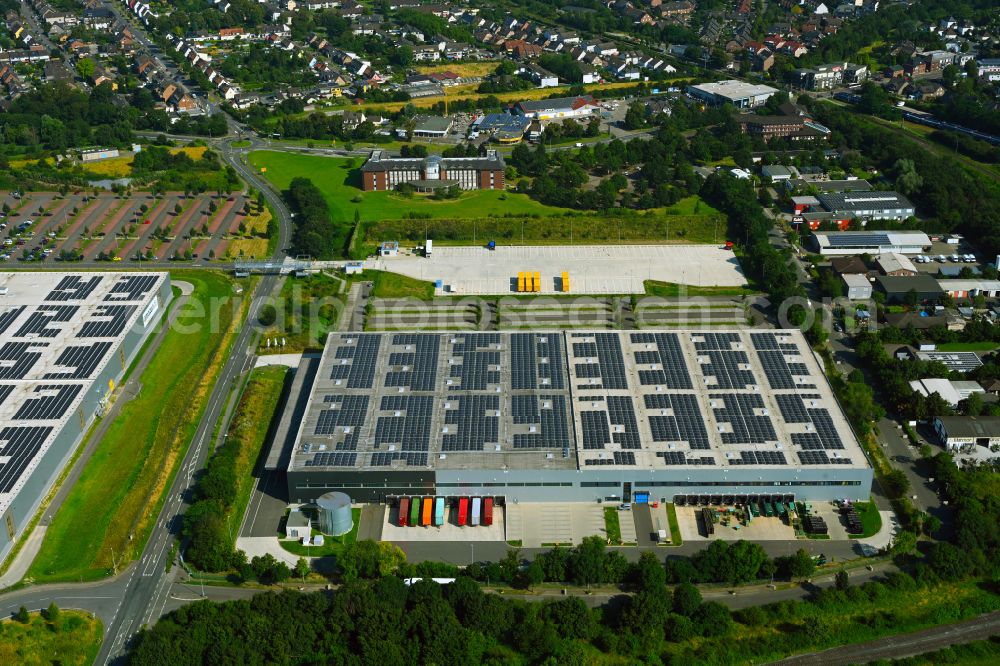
(906, 645)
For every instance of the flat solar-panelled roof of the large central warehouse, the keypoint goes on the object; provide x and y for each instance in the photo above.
(571, 400)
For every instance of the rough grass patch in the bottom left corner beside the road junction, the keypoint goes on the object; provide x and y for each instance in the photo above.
(73, 638)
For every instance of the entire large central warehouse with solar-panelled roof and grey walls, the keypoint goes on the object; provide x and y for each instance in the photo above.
(571, 416)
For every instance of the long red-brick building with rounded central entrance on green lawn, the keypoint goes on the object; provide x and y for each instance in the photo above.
(382, 172)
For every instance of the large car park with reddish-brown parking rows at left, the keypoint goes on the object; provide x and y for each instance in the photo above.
(44, 226)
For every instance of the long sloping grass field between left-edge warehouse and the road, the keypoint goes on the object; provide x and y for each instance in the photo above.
(124, 483)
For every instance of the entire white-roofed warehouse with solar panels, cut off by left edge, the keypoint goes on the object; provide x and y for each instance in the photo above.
(65, 342)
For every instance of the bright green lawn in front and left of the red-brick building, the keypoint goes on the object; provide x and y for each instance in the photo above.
(340, 183)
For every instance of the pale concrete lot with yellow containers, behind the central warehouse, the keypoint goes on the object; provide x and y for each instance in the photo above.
(592, 269)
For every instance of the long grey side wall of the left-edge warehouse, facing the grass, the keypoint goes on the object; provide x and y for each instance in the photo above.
(51, 464)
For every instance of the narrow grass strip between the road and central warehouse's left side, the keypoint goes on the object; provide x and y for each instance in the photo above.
(250, 425)
